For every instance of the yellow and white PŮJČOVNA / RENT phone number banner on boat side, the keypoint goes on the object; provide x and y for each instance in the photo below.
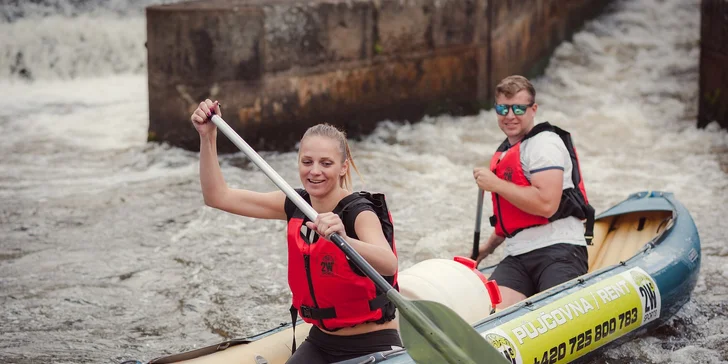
(564, 329)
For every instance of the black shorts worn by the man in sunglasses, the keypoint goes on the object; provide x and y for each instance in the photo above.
(541, 269)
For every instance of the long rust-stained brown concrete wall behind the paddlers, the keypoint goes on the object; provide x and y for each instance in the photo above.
(278, 67)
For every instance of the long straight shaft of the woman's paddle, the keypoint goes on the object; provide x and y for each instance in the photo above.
(423, 325)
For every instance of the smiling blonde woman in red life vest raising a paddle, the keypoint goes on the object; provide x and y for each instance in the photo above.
(350, 316)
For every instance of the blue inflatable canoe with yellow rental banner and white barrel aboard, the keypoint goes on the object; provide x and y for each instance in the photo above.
(643, 266)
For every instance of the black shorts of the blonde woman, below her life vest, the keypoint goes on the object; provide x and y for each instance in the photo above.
(323, 348)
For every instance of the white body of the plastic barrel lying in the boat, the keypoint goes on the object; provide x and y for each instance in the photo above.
(449, 283)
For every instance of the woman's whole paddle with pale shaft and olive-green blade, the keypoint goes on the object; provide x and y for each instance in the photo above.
(431, 332)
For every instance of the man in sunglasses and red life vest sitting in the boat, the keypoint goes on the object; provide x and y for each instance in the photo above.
(538, 196)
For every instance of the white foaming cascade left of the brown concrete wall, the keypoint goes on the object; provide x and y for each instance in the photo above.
(67, 39)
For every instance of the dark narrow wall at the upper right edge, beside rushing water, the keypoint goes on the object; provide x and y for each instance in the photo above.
(714, 63)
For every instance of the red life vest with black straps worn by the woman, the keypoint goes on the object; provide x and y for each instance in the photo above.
(328, 290)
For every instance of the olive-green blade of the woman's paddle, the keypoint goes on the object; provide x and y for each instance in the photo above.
(464, 337)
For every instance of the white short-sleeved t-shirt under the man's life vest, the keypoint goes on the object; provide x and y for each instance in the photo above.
(542, 152)
